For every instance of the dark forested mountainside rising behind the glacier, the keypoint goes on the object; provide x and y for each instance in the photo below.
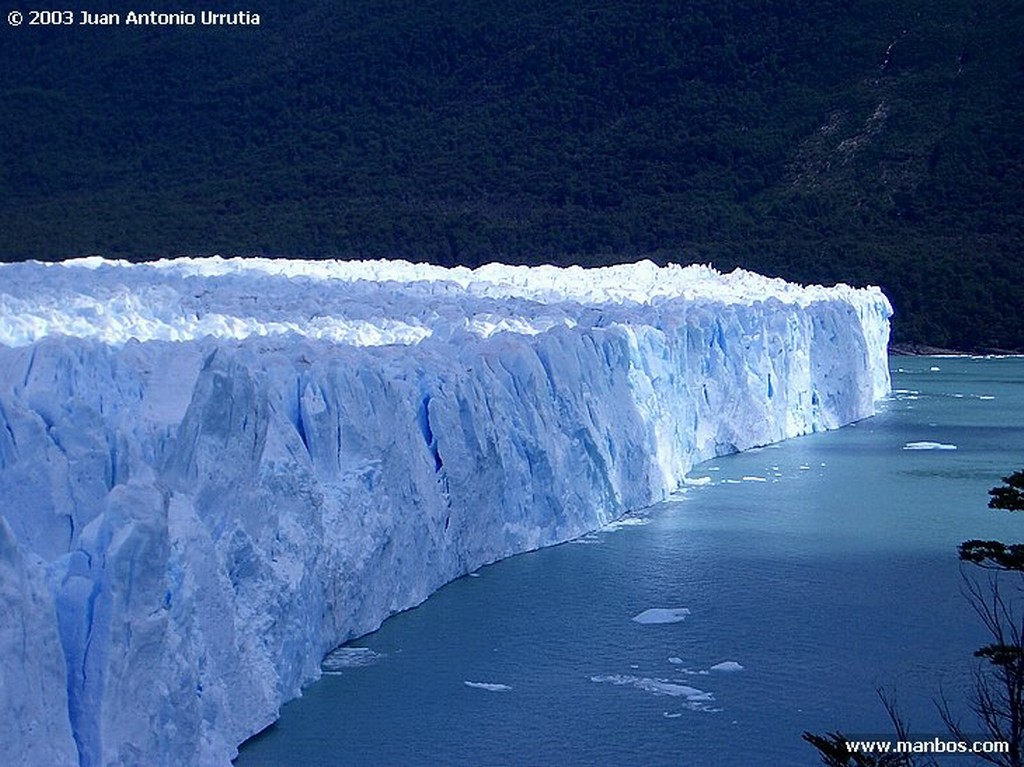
(819, 141)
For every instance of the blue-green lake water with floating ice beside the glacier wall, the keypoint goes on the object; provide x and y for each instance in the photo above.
(825, 567)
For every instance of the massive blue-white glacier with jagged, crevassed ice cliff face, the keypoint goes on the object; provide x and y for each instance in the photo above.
(216, 472)
